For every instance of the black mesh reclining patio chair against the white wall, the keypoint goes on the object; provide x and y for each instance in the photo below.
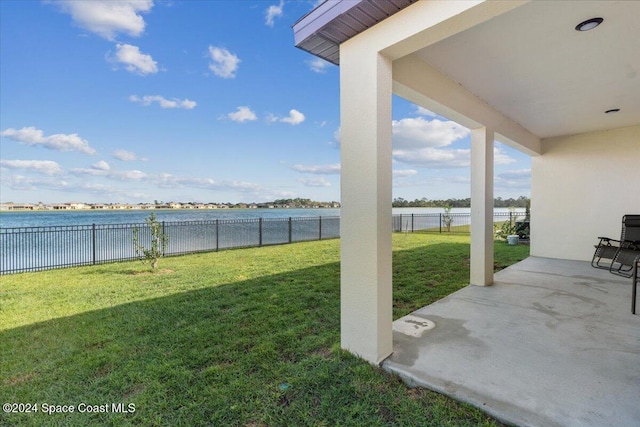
(617, 255)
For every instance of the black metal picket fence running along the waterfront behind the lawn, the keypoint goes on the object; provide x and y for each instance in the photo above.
(42, 248)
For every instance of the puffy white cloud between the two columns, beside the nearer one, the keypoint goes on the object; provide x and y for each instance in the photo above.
(416, 133)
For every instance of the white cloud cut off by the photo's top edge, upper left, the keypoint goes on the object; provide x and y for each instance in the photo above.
(108, 18)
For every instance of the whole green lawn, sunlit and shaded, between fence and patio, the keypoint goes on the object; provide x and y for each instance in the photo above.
(245, 337)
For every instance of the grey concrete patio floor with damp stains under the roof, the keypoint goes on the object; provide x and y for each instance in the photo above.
(550, 343)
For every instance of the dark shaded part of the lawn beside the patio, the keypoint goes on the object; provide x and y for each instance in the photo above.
(258, 352)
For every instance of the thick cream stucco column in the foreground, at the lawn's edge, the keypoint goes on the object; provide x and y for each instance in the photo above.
(365, 216)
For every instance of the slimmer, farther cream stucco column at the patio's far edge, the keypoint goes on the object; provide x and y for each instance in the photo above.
(481, 207)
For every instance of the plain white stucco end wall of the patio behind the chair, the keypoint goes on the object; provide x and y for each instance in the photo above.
(581, 186)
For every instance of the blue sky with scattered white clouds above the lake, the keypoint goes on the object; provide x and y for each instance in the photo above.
(205, 101)
